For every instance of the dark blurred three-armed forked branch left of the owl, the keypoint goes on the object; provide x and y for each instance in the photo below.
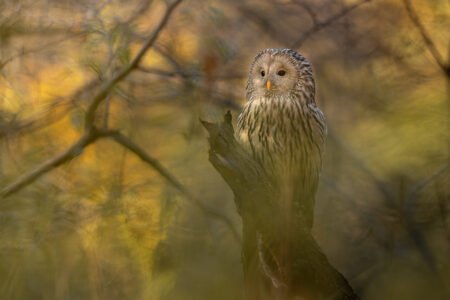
(92, 134)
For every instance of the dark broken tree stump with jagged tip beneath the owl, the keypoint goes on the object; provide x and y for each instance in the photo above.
(281, 258)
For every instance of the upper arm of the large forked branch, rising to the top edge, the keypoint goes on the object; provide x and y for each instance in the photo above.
(105, 89)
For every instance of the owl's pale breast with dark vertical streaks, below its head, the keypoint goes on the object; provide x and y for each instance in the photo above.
(286, 136)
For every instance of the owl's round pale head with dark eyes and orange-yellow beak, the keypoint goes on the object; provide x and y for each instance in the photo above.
(280, 72)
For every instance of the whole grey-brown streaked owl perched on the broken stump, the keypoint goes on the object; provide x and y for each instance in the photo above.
(282, 127)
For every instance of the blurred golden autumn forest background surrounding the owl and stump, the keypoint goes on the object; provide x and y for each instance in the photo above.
(106, 191)
